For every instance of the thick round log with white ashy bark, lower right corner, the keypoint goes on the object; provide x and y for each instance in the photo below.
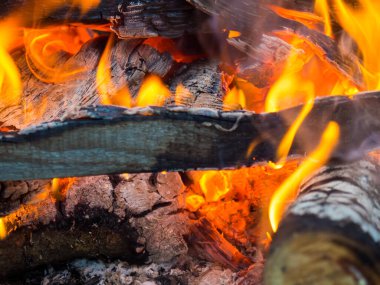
(331, 233)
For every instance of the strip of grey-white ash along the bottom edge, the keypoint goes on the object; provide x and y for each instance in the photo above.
(91, 272)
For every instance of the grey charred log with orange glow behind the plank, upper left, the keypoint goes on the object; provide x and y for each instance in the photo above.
(43, 101)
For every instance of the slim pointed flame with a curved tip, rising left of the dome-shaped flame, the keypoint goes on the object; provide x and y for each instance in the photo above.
(109, 95)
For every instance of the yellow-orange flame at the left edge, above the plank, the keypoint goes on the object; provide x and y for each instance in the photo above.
(10, 79)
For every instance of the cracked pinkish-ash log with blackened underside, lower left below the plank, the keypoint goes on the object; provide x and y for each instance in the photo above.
(135, 218)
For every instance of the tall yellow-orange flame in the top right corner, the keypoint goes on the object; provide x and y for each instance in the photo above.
(362, 23)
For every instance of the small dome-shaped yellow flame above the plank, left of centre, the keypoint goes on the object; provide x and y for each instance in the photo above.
(153, 92)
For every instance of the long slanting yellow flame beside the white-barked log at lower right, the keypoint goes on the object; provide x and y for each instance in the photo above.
(288, 190)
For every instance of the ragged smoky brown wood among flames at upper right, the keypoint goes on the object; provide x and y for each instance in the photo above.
(254, 20)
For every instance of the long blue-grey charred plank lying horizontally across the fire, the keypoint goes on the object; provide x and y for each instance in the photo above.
(106, 139)
